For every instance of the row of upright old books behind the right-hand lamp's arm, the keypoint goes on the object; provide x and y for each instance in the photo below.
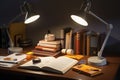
(84, 41)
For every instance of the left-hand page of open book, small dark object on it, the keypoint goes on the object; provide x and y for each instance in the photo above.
(44, 62)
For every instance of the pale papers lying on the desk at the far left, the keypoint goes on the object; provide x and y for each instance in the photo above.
(13, 58)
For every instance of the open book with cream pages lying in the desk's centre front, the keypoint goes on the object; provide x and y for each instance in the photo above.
(57, 65)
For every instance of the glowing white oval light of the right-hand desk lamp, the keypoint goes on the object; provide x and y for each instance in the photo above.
(79, 20)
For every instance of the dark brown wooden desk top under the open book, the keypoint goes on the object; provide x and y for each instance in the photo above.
(109, 72)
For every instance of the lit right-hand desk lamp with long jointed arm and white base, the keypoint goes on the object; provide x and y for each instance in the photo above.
(96, 60)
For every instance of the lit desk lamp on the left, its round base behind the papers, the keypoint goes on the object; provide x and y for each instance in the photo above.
(29, 18)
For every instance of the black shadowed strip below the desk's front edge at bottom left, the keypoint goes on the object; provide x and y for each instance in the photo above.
(5, 76)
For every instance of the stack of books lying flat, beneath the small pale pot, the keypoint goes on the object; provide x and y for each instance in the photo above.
(47, 48)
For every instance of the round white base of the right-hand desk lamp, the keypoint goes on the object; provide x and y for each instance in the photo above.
(95, 60)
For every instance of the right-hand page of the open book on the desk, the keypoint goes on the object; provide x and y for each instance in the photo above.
(61, 64)
